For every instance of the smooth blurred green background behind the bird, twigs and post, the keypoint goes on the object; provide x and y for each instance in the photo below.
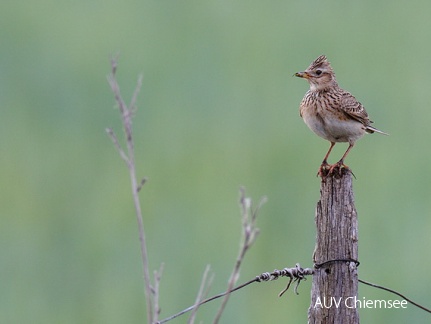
(218, 109)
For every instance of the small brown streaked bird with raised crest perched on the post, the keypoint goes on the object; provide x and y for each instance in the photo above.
(332, 113)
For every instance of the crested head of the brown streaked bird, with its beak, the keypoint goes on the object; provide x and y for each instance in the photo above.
(319, 74)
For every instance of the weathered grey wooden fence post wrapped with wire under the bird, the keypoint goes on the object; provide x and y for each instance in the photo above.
(335, 281)
